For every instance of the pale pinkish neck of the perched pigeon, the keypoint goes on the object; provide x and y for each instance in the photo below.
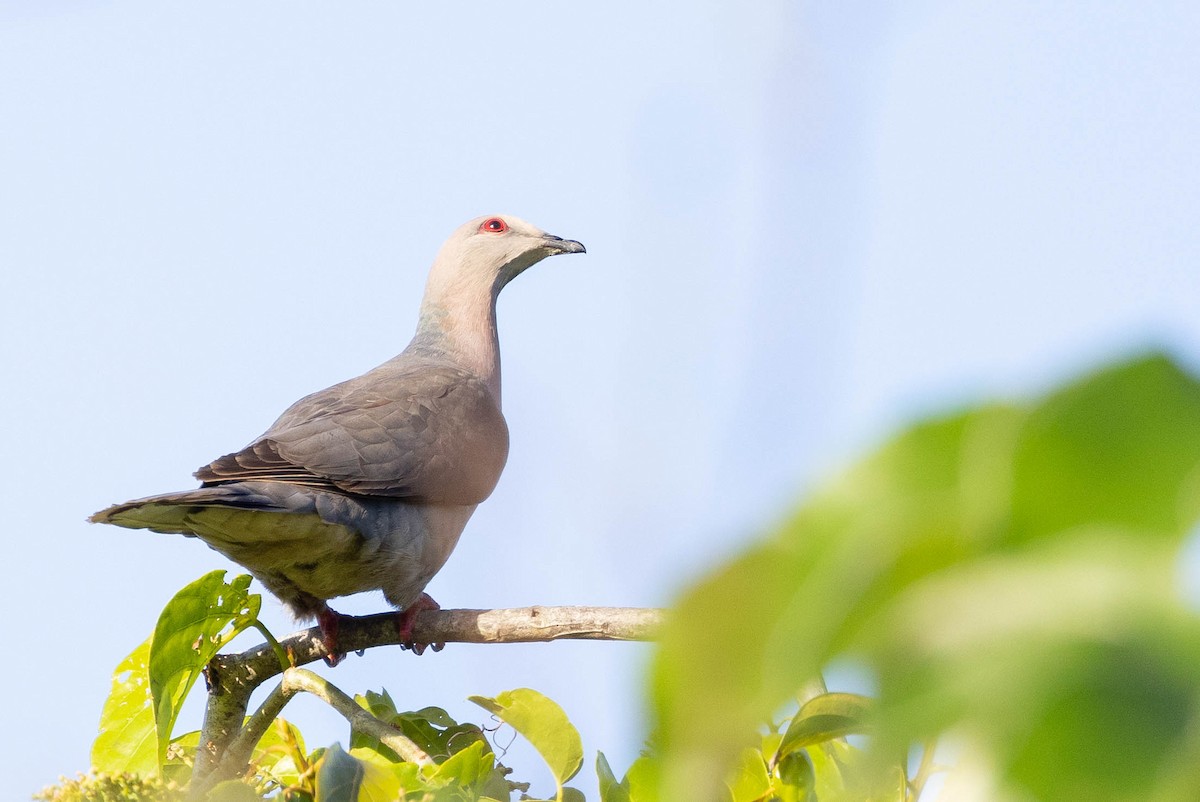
(459, 325)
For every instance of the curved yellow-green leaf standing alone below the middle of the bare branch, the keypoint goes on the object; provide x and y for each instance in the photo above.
(544, 725)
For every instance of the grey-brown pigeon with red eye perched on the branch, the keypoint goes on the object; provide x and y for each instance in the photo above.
(369, 484)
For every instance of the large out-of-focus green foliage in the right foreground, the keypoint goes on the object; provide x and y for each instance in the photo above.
(1009, 576)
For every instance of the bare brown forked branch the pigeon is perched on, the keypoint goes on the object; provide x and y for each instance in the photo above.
(232, 679)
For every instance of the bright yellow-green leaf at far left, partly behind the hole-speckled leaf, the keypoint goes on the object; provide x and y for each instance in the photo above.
(127, 741)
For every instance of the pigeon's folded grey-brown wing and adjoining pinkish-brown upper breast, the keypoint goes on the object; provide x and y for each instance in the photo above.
(411, 429)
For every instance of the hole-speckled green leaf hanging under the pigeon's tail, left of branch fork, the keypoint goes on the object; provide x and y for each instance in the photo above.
(189, 635)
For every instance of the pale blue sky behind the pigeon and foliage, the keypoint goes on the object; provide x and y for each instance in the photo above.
(806, 223)
